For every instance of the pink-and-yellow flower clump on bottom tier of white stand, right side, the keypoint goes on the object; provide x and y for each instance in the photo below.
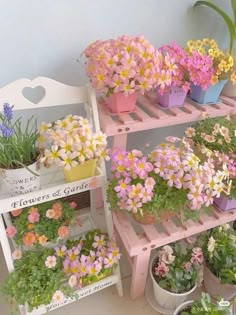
(88, 259)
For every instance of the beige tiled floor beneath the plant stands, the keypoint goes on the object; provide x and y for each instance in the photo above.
(105, 302)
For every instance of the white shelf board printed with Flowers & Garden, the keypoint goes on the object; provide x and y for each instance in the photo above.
(53, 186)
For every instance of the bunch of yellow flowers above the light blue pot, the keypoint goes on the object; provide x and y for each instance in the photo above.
(223, 62)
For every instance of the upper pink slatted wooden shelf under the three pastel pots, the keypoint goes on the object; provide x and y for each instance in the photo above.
(149, 115)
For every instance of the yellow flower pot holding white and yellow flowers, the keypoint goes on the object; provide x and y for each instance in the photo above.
(81, 171)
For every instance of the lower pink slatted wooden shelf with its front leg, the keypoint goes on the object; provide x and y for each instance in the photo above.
(138, 240)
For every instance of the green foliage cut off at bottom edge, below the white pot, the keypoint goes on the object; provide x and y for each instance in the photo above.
(204, 306)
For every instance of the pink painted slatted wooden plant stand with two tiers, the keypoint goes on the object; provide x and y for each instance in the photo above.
(149, 115)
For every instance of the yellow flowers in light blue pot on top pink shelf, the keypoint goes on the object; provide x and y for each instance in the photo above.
(222, 70)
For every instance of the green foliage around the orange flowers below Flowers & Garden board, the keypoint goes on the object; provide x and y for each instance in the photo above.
(45, 226)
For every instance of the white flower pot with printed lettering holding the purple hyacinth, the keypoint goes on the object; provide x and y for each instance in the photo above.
(22, 180)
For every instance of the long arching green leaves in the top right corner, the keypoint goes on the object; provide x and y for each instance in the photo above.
(231, 23)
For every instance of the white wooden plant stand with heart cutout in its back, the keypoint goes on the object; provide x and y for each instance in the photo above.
(53, 185)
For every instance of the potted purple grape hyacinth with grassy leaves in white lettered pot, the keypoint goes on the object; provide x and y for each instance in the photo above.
(18, 153)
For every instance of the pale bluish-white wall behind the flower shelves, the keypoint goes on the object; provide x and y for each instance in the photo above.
(44, 37)
